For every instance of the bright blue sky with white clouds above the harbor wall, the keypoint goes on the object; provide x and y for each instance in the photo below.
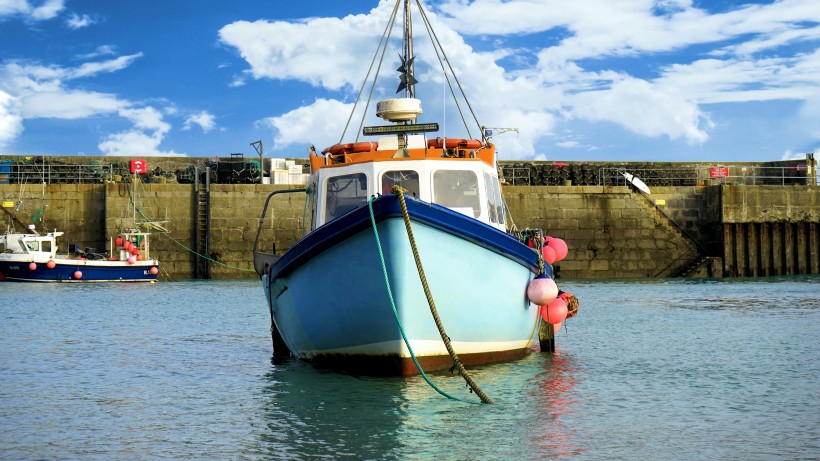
(587, 80)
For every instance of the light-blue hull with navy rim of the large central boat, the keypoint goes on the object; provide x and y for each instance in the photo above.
(330, 303)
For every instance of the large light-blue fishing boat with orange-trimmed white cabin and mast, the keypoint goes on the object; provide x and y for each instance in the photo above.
(408, 264)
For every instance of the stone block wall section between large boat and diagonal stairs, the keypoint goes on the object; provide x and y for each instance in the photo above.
(611, 232)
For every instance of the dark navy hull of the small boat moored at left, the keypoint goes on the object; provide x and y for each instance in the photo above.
(18, 270)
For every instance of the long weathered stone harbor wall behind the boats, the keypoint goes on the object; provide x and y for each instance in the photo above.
(611, 231)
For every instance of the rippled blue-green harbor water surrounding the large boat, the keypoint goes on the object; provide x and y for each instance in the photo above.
(182, 370)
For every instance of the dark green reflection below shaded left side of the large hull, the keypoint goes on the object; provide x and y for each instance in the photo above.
(309, 413)
